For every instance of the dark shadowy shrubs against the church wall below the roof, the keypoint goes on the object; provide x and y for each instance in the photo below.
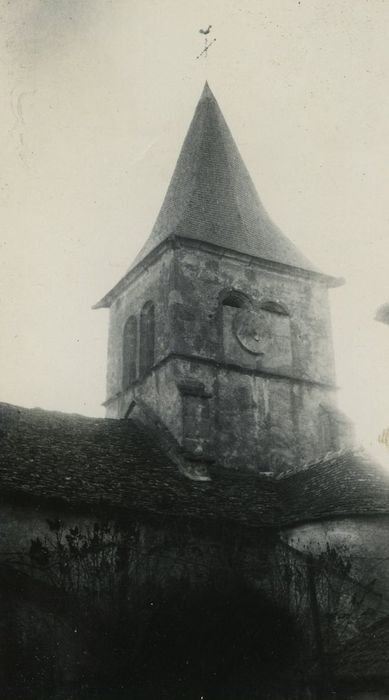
(88, 616)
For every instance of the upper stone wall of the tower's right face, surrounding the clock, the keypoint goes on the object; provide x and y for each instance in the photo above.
(201, 278)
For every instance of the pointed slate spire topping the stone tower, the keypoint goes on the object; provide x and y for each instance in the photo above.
(212, 198)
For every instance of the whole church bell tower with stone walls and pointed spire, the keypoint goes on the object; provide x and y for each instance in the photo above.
(220, 331)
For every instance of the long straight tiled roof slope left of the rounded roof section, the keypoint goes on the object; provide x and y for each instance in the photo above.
(114, 464)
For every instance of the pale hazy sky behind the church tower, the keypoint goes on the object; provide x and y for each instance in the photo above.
(97, 96)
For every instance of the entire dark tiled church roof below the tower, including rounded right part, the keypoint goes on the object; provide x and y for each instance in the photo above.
(98, 463)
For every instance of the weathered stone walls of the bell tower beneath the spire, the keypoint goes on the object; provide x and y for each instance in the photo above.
(265, 408)
